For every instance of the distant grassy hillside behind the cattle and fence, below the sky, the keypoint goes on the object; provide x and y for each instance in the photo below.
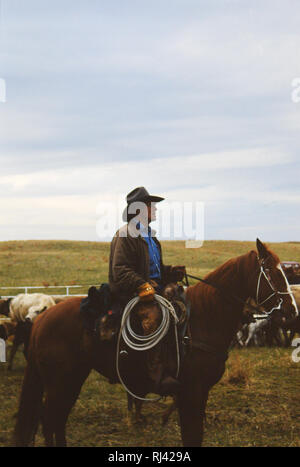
(50, 263)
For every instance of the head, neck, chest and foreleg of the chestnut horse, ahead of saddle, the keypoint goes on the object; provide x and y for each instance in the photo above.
(215, 316)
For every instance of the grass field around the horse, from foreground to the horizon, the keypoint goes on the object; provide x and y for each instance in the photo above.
(257, 402)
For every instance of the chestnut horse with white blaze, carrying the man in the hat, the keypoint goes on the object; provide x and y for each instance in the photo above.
(62, 353)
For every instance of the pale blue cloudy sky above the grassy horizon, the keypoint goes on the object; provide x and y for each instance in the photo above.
(196, 100)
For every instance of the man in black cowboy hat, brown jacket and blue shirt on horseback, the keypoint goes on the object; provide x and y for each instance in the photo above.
(136, 265)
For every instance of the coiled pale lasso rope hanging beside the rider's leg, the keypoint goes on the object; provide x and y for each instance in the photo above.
(142, 343)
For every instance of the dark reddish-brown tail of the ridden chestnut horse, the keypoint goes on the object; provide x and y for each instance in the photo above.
(30, 406)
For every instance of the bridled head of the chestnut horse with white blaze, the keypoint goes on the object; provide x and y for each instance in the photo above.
(272, 290)
